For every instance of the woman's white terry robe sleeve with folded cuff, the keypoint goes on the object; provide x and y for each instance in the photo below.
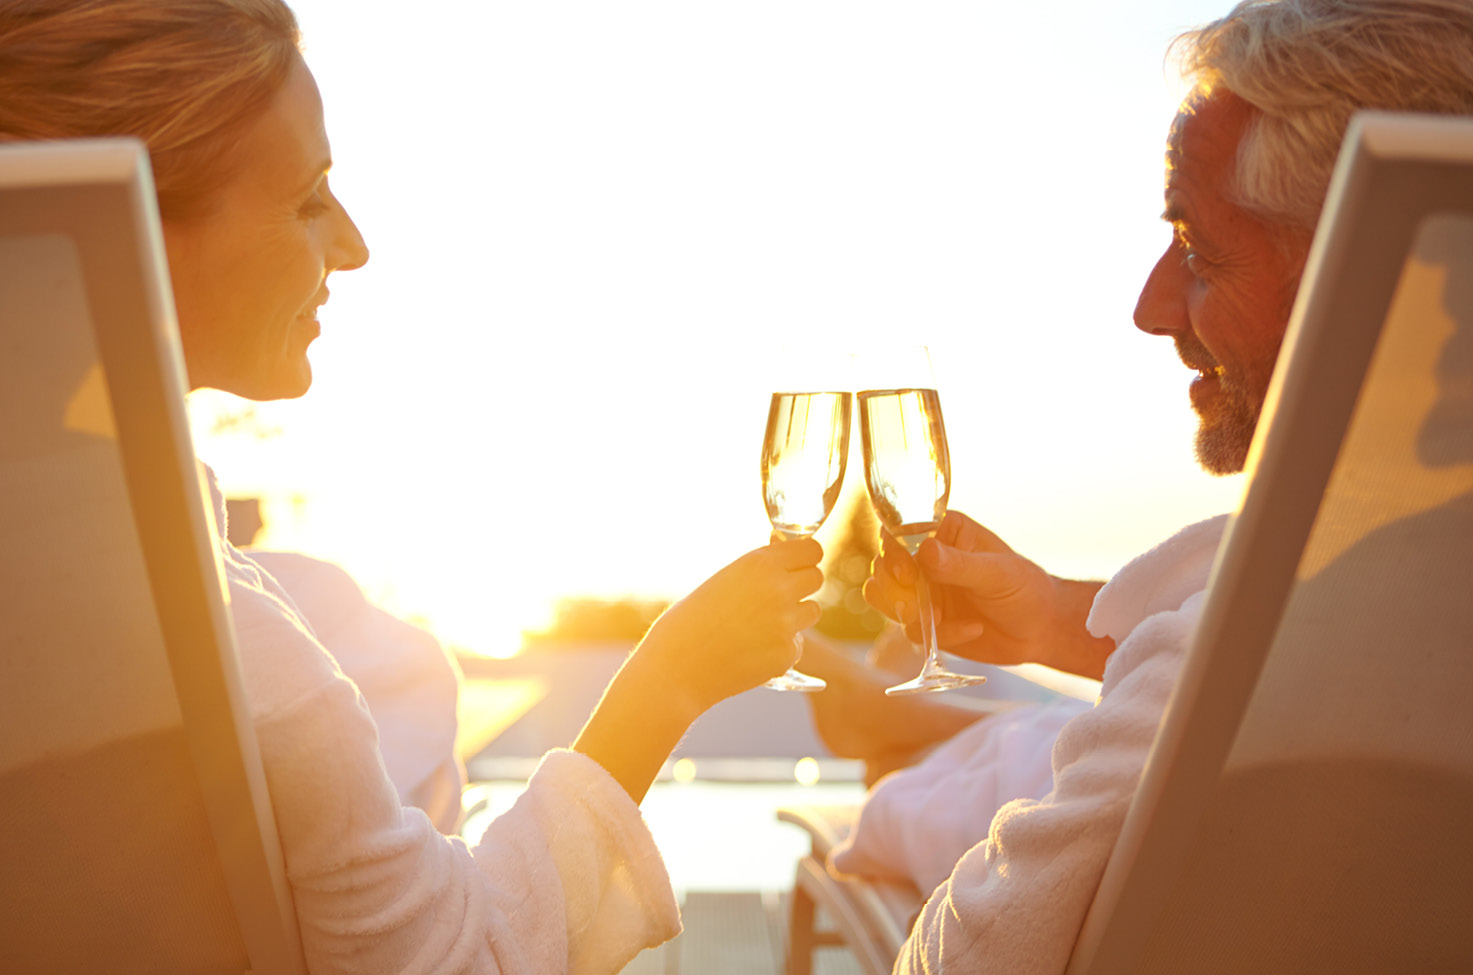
(566, 881)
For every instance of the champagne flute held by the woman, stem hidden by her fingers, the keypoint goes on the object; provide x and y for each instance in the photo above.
(804, 457)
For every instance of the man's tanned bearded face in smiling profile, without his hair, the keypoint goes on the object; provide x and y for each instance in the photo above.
(1225, 288)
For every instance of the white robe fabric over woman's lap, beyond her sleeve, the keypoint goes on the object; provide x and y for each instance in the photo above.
(410, 683)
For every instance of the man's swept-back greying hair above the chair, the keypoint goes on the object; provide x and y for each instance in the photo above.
(1309, 66)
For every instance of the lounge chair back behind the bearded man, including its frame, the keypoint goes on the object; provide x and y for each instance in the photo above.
(1309, 802)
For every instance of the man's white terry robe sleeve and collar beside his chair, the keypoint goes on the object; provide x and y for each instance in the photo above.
(1016, 902)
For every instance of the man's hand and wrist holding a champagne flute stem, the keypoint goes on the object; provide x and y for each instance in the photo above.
(992, 605)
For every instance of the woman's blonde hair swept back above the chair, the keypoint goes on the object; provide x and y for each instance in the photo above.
(183, 76)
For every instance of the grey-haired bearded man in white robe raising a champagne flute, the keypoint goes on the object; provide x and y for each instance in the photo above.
(1248, 164)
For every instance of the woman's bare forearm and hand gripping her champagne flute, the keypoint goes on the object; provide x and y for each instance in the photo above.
(734, 633)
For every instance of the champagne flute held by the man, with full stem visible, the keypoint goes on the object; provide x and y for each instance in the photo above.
(908, 472)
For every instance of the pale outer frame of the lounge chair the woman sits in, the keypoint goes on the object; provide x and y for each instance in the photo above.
(85, 191)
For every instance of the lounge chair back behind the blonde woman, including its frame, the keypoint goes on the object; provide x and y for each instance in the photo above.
(136, 834)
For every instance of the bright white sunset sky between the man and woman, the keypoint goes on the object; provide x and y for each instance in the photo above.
(603, 232)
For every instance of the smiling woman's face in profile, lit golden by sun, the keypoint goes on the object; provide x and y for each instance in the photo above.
(253, 272)
